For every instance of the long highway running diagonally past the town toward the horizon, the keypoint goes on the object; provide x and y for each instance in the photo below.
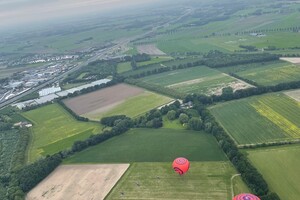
(101, 54)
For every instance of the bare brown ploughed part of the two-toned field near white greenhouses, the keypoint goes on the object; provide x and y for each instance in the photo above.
(102, 100)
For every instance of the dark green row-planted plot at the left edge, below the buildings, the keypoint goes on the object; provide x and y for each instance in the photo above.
(8, 142)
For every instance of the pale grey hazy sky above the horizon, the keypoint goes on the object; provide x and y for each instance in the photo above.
(15, 12)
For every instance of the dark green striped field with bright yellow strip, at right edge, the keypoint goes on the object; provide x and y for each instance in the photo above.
(262, 119)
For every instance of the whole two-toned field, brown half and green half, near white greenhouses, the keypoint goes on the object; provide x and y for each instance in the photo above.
(121, 99)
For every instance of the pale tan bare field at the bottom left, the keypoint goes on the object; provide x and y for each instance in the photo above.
(78, 182)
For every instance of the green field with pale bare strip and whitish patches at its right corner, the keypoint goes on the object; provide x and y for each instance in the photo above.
(196, 80)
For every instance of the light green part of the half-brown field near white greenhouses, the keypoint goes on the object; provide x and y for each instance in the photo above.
(133, 106)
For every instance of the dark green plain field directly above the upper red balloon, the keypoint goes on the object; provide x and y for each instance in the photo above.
(152, 145)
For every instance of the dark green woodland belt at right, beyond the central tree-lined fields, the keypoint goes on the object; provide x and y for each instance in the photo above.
(216, 59)
